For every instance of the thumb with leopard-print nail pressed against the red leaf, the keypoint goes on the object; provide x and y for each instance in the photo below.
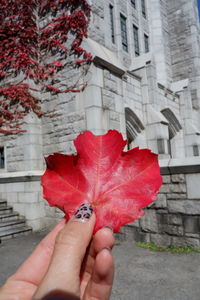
(71, 243)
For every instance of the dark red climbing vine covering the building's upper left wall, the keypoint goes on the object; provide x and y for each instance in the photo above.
(39, 41)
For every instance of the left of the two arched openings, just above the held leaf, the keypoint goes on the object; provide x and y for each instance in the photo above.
(133, 125)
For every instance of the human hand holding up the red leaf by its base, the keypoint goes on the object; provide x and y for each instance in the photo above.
(67, 264)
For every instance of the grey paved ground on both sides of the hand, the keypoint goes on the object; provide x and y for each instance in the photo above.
(140, 273)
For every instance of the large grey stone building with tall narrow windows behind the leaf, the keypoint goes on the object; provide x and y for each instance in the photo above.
(144, 82)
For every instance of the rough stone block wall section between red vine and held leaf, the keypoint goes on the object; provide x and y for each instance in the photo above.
(59, 131)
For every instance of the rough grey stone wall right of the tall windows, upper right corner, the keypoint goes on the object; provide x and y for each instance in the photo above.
(184, 44)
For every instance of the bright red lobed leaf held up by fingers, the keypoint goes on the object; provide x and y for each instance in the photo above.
(117, 184)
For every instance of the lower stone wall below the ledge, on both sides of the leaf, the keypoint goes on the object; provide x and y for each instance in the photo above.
(173, 219)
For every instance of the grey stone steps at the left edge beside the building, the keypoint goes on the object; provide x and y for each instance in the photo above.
(11, 223)
